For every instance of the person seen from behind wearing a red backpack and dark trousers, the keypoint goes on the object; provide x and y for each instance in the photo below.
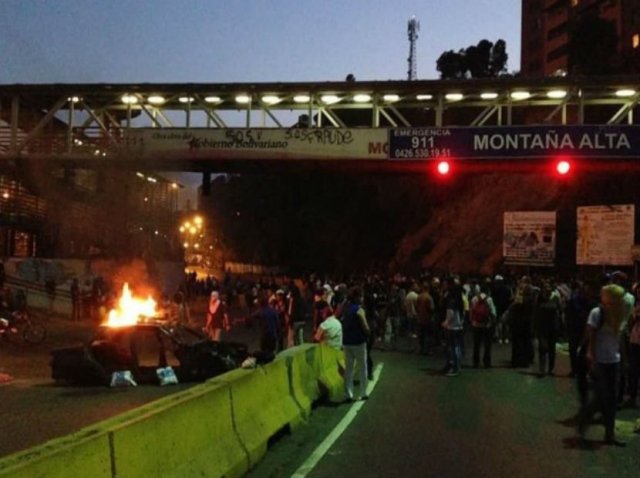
(482, 317)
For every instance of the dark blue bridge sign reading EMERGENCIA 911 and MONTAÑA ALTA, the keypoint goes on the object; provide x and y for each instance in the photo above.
(503, 142)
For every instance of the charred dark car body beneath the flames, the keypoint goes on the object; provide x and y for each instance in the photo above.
(142, 349)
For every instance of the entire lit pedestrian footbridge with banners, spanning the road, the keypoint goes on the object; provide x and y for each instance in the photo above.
(381, 125)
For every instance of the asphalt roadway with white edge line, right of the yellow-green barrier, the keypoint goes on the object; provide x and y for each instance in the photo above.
(492, 423)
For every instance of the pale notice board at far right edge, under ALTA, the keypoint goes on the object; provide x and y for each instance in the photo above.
(605, 235)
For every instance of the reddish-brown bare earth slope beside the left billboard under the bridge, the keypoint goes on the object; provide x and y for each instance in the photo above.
(464, 234)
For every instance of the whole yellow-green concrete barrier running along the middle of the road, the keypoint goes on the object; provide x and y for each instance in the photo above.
(219, 428)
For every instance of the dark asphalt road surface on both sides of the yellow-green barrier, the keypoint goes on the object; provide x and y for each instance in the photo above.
(497, 422)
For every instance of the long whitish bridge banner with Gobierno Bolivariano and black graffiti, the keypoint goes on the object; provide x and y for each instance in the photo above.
(259, 143)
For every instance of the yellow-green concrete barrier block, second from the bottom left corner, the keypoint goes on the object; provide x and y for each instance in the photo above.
(192, 435)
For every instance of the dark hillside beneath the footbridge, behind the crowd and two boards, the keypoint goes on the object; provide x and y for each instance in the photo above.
(352, 223)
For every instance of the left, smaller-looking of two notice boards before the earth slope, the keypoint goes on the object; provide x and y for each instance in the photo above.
(529, 238)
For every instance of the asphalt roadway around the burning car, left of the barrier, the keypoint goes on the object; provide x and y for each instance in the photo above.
(34, 409)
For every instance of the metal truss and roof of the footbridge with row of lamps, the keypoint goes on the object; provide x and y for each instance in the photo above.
(76, 121)
